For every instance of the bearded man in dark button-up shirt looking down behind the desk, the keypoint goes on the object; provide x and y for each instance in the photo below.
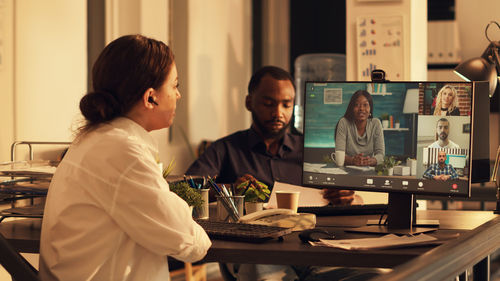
(268, 151)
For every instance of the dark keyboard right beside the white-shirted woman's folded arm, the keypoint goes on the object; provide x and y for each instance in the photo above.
(242, 231)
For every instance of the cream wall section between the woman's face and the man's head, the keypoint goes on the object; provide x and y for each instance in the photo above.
(219, 67)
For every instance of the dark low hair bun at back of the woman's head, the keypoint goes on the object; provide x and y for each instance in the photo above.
(99, 106)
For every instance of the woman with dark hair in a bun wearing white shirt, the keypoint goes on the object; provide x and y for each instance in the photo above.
(109, 213)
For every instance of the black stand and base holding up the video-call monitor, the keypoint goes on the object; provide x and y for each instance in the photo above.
(401, 215)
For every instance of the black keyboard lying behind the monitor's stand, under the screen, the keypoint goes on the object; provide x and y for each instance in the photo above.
(348, 210)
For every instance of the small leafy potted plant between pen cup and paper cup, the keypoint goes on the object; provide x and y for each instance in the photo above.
(255, 193)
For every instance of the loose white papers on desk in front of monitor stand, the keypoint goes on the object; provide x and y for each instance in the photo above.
(384, 242)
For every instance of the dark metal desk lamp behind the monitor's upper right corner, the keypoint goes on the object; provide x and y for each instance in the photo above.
(484, 68)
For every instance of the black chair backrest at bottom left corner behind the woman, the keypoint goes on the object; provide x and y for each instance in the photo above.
(17, 266)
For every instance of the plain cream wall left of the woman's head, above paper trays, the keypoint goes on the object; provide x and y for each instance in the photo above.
(44, 72)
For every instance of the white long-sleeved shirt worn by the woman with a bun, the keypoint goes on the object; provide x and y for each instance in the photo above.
(110, 215)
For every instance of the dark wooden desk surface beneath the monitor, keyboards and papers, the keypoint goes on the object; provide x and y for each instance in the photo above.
(24, 234)
